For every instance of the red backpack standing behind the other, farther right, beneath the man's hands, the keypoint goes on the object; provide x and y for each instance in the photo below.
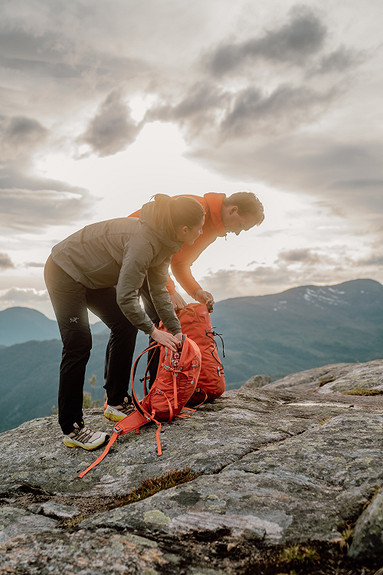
(196, 324)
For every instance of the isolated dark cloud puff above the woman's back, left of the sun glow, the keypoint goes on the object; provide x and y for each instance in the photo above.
(112, 129)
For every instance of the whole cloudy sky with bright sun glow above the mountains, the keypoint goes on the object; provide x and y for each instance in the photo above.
(107, 102)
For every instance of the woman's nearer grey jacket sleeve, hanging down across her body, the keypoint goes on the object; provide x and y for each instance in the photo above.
(136, 262)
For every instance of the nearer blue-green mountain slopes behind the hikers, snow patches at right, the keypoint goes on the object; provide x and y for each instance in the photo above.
(299, 329)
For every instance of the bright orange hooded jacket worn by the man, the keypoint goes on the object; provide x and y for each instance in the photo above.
(183, 260)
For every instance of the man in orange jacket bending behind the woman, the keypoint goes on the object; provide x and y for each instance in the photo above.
(239, 212)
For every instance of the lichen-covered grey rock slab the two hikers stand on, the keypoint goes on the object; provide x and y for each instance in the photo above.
(274, 477)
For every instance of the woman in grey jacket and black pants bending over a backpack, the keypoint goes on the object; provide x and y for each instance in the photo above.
(102, 268)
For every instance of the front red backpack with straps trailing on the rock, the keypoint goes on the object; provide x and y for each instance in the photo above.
(174, 385)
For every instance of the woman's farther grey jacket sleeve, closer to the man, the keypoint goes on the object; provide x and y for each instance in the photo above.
(157, 282)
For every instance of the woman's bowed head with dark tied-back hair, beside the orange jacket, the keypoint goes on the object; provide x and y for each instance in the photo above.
(171, 213)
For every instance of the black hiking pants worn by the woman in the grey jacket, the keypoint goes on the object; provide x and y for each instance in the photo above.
(71, 301)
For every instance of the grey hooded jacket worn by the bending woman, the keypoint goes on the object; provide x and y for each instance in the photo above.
(121, 252)
